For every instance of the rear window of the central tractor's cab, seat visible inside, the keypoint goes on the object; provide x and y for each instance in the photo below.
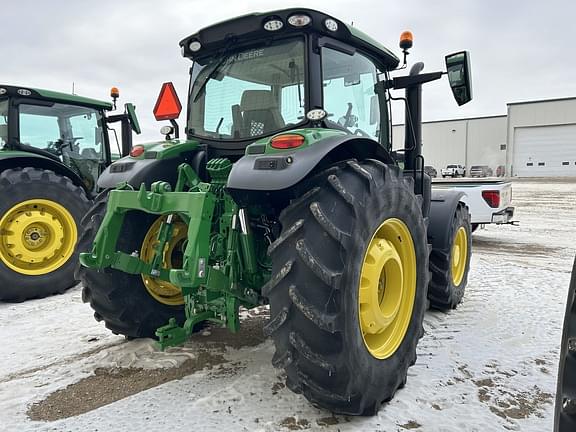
(248, 93)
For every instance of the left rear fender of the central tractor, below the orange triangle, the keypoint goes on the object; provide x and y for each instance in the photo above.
(137, 171)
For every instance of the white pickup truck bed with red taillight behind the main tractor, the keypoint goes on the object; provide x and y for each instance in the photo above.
(488, 200)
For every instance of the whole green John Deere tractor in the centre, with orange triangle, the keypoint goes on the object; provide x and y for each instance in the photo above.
(286, 192)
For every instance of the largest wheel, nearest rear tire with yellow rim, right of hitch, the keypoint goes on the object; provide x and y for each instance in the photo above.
(353, 250)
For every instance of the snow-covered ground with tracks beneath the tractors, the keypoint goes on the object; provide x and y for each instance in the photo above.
(490, 365)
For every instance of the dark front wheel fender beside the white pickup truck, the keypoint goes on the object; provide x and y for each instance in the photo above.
(443, 204)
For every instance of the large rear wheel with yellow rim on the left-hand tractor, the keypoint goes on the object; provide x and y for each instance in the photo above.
(50, 207)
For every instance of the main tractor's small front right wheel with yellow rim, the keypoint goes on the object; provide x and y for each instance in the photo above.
(448, 282)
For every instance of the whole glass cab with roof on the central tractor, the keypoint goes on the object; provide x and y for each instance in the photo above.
(260, 75)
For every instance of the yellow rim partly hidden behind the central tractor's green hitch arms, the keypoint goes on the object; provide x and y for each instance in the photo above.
(163, 291)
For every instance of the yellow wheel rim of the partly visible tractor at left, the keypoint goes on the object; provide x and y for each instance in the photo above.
(37, 237)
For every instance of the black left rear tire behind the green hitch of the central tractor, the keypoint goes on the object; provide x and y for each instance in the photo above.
(120, 299)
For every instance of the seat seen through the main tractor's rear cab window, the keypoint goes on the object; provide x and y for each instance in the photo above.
(259, 113)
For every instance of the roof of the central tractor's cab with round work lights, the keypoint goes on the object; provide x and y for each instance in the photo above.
(250, 28)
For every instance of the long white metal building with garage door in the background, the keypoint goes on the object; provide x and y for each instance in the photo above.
(535, 139)
